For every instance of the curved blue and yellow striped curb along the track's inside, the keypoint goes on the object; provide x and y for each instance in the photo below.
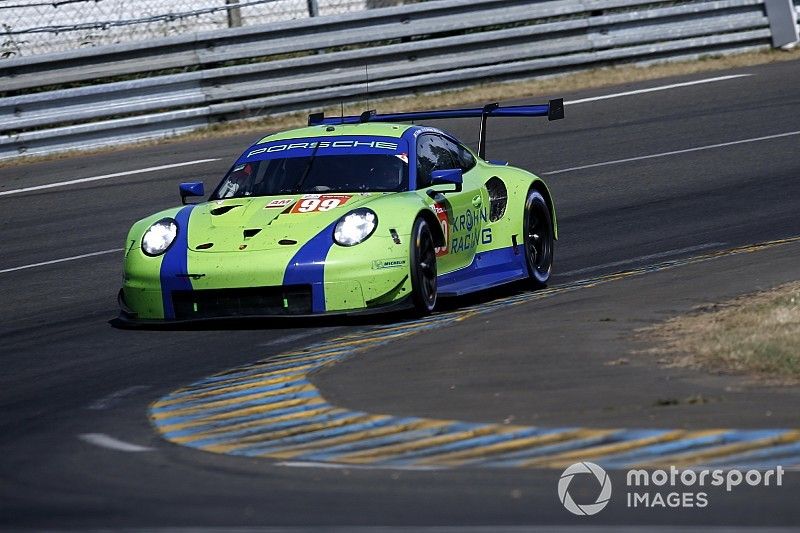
(271, 409)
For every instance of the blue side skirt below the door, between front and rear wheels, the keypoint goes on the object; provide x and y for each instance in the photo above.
(488, 269)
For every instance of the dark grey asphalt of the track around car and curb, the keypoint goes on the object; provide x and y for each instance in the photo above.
(67, 372)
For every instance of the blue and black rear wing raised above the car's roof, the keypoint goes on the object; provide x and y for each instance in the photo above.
(553, 110)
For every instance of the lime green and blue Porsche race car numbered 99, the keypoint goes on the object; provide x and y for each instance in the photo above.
(350, 214)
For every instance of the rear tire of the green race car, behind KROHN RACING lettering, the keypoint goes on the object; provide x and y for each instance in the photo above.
(538, 239)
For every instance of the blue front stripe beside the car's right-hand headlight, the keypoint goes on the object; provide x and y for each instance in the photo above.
(307, 267)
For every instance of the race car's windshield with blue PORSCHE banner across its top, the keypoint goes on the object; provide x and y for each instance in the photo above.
(341, 164)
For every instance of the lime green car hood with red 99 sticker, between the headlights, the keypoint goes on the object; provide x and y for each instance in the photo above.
(265, 222)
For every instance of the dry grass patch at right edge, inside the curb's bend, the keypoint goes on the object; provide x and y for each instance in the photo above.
(757, 335)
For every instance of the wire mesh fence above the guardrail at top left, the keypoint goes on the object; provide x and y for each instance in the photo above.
(29, 27)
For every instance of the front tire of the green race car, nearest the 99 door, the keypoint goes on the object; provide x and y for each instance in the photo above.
(423, 268)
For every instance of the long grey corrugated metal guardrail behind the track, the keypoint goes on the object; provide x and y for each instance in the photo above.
(312, 63)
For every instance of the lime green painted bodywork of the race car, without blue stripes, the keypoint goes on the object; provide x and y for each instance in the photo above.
(374, 273)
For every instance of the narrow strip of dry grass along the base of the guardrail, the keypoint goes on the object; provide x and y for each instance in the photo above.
(541, 87)
